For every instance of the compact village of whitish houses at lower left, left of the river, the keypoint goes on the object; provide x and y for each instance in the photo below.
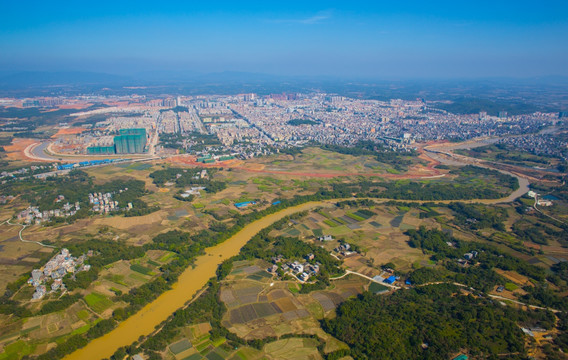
(53, 272)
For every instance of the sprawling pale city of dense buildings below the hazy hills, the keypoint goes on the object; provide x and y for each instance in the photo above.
(251, 125)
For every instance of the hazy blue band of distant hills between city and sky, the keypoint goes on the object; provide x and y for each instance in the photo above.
(543, 93)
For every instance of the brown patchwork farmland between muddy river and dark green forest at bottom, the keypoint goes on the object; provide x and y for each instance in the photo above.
(258, 307)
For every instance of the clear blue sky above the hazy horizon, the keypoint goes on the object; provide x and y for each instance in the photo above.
(380, 39)
